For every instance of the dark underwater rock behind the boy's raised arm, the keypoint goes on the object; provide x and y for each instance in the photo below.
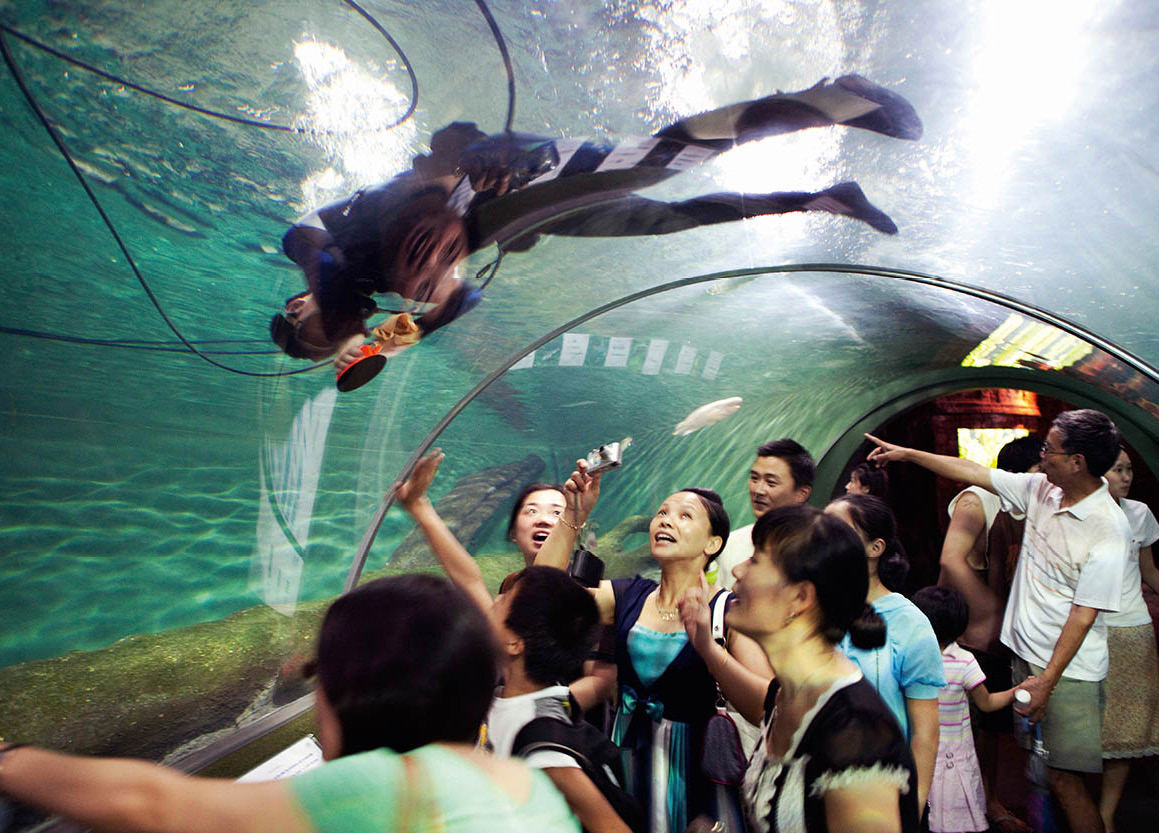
(470, 506)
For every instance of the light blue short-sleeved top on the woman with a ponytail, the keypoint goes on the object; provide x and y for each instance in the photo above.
(909, 665)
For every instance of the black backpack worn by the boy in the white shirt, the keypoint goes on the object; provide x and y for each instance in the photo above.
(593, 751)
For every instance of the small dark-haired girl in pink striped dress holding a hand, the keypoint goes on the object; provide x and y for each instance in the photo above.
(958, 801)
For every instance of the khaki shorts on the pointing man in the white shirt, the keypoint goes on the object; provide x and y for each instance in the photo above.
(1073, 728)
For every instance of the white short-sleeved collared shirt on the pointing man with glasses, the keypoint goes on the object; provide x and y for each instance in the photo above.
(1075, 555)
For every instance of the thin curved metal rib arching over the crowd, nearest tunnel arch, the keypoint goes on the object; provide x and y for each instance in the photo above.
(1000, 299)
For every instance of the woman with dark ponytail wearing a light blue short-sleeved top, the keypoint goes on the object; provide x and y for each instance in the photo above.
(907, 670)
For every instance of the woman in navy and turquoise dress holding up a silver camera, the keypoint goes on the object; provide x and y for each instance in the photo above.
(667, 693)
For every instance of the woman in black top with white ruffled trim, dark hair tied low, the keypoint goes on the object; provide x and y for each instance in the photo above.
(833, 758)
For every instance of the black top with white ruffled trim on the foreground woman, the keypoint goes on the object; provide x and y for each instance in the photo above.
(849, 737)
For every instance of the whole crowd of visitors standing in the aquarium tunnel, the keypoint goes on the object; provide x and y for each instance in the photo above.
(444, 707)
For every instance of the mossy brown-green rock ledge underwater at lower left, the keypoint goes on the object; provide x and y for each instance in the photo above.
(149, 694)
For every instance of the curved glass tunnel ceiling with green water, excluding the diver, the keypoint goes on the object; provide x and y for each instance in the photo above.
(148, 492)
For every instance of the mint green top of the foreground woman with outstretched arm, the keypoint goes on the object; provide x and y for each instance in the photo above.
(367, 793)
